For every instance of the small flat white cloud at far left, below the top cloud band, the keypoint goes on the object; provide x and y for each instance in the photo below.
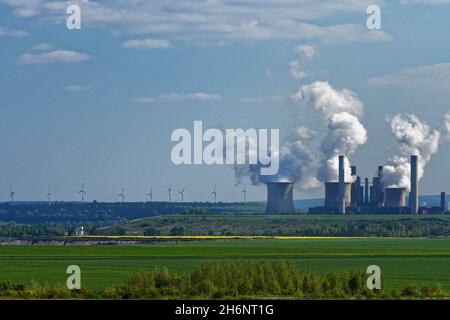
(56, 56)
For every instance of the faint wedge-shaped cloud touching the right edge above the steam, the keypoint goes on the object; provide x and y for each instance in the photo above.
(435, 76)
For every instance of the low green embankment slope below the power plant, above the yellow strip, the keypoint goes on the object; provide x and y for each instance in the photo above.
(293, 225)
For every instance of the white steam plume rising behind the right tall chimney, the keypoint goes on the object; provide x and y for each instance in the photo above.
(415, 138)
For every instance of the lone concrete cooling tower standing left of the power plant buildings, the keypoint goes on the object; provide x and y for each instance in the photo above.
(280, 198)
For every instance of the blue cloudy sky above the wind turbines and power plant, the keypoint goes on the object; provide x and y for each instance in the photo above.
(98, 105)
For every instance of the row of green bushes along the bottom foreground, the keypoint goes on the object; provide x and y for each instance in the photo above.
(228, 280)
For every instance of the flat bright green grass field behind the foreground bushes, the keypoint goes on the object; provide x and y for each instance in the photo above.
(402, 261)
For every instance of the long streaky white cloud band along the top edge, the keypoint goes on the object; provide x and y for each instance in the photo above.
(216, 21)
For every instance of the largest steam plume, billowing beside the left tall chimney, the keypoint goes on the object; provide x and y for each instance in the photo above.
(340, 111)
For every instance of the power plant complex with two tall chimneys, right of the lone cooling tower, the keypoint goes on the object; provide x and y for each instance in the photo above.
(350, 196)
